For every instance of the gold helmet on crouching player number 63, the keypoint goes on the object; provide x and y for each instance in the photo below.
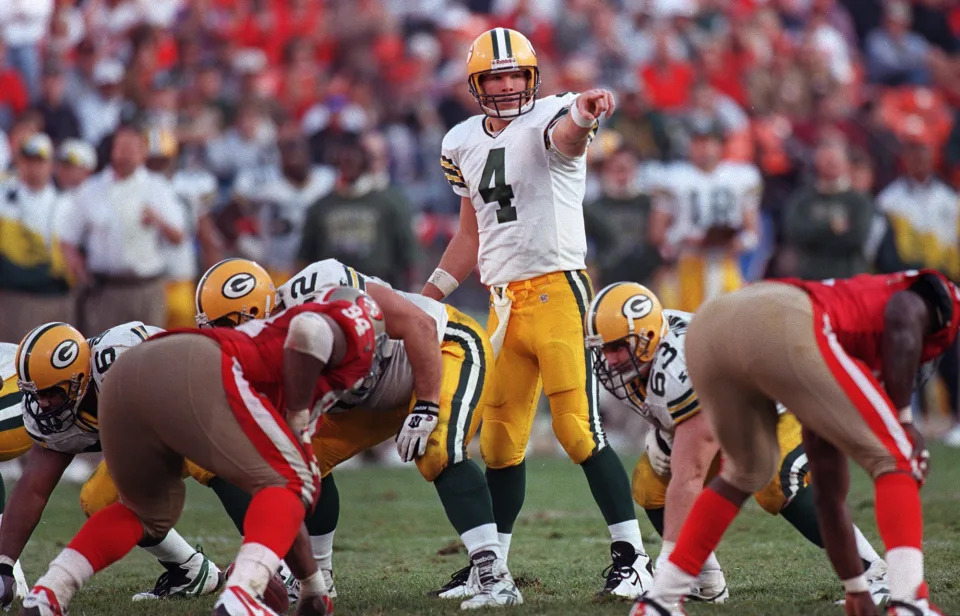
(624, 317)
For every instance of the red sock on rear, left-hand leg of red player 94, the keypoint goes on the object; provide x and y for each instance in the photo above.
(108, 536)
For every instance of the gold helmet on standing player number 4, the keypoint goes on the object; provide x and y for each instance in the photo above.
(503, 51)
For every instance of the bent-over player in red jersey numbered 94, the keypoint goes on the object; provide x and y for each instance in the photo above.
(253, 430)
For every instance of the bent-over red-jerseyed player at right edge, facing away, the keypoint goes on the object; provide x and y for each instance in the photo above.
(844, 356)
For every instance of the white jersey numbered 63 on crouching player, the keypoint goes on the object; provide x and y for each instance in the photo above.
(667, 398)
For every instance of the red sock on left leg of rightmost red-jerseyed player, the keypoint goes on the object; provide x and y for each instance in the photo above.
(709, 518)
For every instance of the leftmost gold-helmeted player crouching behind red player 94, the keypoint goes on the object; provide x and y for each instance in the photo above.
(54, 366)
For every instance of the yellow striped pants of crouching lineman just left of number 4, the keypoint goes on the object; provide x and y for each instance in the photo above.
(467, 368)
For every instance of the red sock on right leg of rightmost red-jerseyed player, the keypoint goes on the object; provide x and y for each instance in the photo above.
(898, 510)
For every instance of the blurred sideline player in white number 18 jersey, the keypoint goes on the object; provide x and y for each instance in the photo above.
(705, 216)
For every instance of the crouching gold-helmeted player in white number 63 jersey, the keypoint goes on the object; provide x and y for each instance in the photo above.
(639, 358)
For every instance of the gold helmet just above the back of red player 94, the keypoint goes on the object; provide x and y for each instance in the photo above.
(232, 292)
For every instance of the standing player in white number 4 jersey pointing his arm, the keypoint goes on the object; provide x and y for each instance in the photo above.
(519, 169)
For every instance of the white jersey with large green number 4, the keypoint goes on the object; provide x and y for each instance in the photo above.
(528, 196)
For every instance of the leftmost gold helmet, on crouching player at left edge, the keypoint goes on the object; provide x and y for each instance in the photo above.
(53, 371)
